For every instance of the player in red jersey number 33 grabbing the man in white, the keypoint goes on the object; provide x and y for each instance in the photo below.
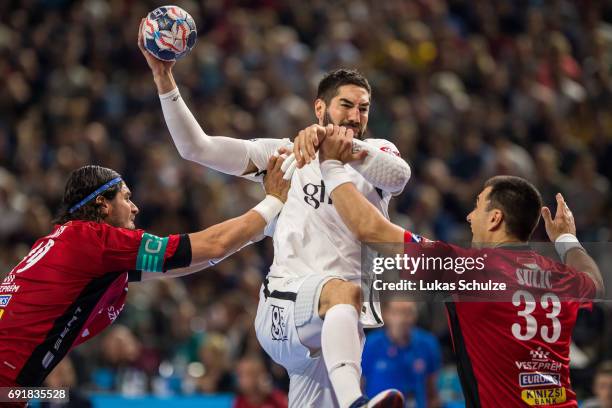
(511, 353)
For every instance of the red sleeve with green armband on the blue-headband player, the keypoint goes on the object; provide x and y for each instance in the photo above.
(125, 249)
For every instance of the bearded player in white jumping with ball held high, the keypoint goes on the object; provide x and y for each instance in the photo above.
(312, 310)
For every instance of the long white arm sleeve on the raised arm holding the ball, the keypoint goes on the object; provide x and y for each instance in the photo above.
(220, 153)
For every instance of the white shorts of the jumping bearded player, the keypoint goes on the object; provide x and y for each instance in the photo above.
(288, 306)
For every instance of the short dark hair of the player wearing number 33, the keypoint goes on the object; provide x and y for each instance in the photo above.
(519, 201)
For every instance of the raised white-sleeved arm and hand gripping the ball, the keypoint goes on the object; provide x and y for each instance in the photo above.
(227, 155)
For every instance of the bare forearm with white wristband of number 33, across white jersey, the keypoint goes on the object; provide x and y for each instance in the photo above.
(359, 215)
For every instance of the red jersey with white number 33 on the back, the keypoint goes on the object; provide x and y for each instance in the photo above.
(515, 352)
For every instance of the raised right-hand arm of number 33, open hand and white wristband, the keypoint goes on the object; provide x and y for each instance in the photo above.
(576, 257)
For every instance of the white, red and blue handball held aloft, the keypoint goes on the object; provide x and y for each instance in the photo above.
(169, 33)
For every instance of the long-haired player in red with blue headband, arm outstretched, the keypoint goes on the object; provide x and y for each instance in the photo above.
(74, 281)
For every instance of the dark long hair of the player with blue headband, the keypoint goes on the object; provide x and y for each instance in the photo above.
(82, 182)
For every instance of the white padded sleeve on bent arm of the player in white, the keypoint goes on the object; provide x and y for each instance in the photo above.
(384, 170)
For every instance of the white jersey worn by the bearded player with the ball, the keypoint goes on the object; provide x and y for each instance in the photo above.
(310, 236)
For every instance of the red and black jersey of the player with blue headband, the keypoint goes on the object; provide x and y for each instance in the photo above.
(71, 286)
